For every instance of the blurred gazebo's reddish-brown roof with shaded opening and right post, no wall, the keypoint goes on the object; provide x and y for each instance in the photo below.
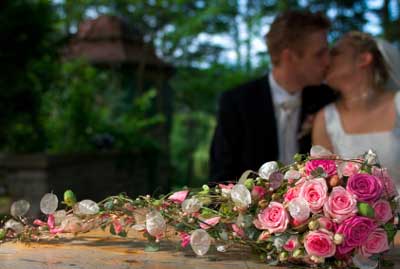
(110, 42)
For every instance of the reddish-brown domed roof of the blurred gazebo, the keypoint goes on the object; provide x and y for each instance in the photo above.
(110, 40)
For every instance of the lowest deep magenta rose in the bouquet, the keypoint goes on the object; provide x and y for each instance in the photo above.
(356, 231)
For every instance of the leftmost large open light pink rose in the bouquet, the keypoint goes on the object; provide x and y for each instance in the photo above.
(274, 218)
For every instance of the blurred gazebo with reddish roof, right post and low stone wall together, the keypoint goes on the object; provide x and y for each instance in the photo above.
(108, 43)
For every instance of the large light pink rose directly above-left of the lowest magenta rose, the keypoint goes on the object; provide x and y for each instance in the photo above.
(340, 205)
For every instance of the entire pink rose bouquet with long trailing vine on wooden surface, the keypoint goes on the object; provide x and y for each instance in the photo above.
(321, 211)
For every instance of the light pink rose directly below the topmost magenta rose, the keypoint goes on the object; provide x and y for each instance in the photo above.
(314, 191)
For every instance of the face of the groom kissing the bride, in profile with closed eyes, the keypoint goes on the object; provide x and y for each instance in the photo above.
(313, 62)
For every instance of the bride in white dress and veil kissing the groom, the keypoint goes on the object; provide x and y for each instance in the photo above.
(366, 73)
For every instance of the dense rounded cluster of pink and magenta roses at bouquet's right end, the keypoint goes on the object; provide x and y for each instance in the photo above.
(342, 207)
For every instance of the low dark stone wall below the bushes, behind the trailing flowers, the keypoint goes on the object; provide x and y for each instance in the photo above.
(90, 176)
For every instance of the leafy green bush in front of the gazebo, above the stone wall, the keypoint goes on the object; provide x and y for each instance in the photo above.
(87, 110)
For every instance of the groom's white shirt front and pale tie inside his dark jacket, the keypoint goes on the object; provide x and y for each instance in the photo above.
(287, 114)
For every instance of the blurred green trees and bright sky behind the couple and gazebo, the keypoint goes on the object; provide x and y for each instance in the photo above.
(54, 104)
